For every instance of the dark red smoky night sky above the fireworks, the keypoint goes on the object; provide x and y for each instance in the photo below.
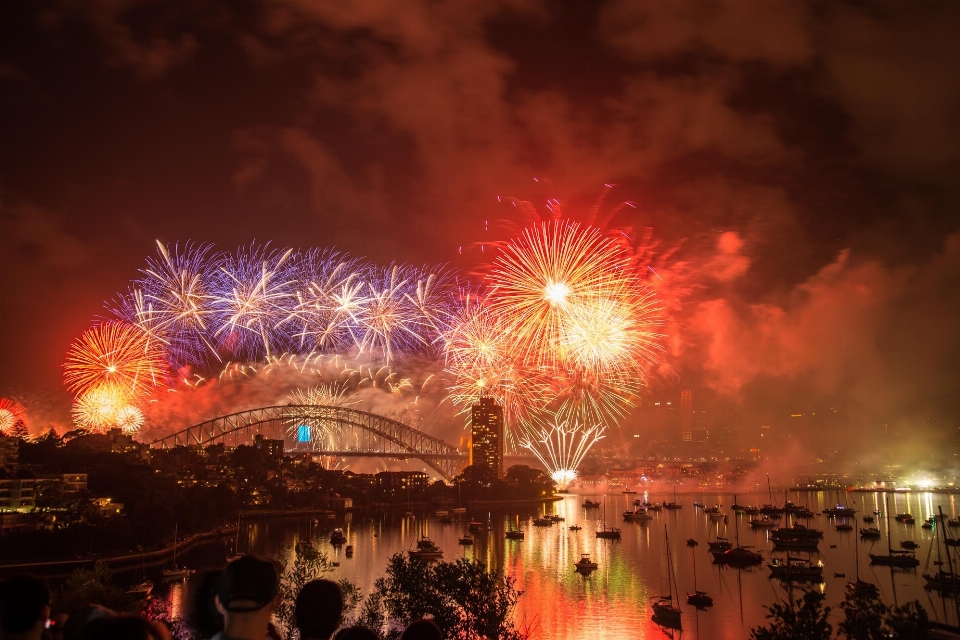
(797, 166)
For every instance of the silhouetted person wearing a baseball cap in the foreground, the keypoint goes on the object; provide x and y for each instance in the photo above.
(248, 593)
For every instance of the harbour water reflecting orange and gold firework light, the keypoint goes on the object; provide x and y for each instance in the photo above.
(614, 600)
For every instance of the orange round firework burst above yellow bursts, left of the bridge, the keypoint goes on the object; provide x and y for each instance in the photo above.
(115, 353)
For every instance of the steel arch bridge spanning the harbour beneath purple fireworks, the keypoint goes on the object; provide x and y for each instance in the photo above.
(361, 434)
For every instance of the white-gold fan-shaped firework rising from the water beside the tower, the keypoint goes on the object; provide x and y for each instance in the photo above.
(561, 447)
